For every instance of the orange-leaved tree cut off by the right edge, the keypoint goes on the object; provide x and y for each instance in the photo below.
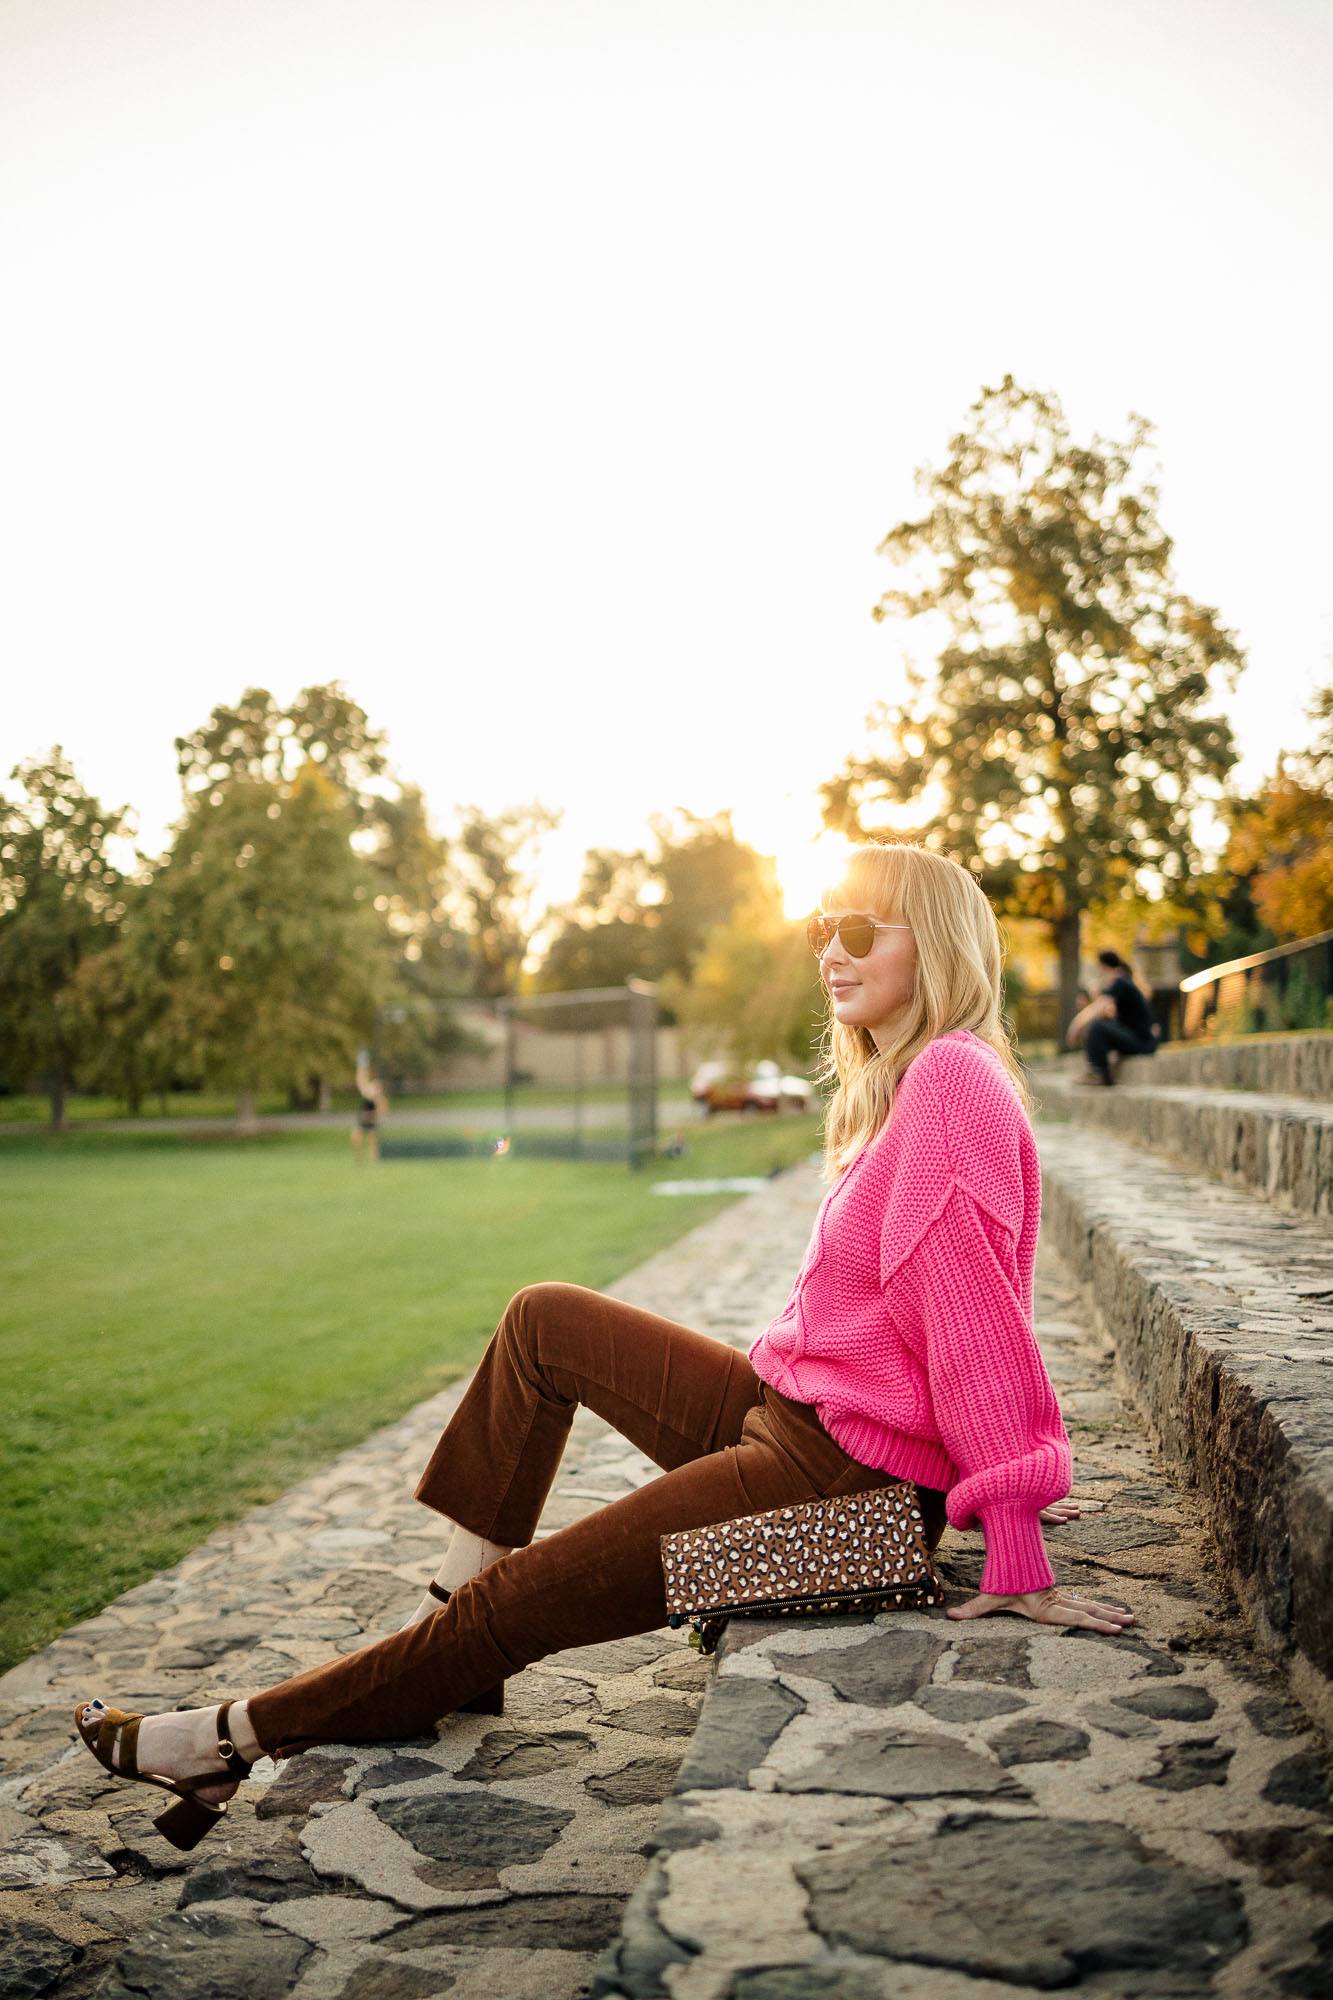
(1284, 839)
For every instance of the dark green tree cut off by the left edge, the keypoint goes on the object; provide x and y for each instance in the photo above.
(61, 901)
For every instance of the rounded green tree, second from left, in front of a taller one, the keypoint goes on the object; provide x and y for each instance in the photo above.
(257, 945)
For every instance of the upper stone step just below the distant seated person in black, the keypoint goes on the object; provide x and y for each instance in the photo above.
(1280, 1147)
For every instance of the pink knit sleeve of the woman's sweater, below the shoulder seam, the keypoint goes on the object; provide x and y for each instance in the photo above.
(994, 1405)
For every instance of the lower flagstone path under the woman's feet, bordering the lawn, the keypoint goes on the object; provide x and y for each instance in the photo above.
(497, 1855)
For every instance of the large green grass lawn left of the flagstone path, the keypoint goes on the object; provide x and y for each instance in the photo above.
(189, 1327)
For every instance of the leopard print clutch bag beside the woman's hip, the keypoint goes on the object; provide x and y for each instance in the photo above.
(866, 1555)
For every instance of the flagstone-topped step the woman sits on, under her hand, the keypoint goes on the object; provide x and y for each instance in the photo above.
(920, 1809)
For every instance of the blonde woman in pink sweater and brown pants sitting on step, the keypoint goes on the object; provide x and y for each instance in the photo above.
(904, 1353)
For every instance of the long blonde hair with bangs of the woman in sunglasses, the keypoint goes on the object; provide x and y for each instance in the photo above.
(960, 965)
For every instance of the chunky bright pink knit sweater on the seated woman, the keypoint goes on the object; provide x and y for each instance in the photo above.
(912, 1319)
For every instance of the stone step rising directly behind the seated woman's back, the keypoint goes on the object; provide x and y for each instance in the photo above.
(1222, 1319)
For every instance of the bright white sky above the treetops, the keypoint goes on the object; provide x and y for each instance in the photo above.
(549, 373)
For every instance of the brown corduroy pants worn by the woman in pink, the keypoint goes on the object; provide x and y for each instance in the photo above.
(726, 1441)
